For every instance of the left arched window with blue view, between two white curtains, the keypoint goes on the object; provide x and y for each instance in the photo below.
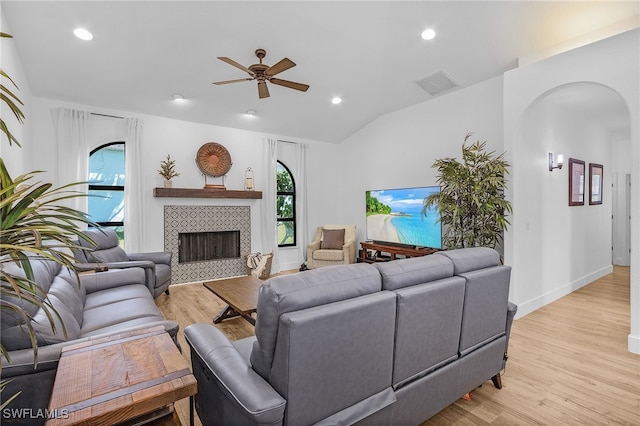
(106, 187)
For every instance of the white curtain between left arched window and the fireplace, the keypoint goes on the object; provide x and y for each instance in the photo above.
(133, 201)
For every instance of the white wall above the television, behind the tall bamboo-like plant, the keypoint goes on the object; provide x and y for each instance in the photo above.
(398, 149)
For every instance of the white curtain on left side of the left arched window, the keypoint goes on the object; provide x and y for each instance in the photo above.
(72, 153)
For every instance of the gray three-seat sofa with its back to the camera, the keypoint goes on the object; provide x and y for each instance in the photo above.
(384, 344)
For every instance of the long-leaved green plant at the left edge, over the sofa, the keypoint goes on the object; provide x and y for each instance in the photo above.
(33, 224)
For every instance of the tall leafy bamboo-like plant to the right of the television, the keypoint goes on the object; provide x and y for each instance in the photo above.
(471, 200)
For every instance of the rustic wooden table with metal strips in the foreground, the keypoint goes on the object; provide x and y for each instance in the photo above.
(121, 378)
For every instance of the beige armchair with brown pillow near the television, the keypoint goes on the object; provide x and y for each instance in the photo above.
(333, 245)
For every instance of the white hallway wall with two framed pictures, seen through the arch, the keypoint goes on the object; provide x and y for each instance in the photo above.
(566, 247)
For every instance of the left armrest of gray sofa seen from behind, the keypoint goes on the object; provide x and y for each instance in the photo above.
(242, 396)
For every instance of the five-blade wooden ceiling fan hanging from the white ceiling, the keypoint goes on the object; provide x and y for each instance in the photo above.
(264, 73)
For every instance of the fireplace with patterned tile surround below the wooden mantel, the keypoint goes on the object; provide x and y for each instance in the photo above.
(228, 227)
